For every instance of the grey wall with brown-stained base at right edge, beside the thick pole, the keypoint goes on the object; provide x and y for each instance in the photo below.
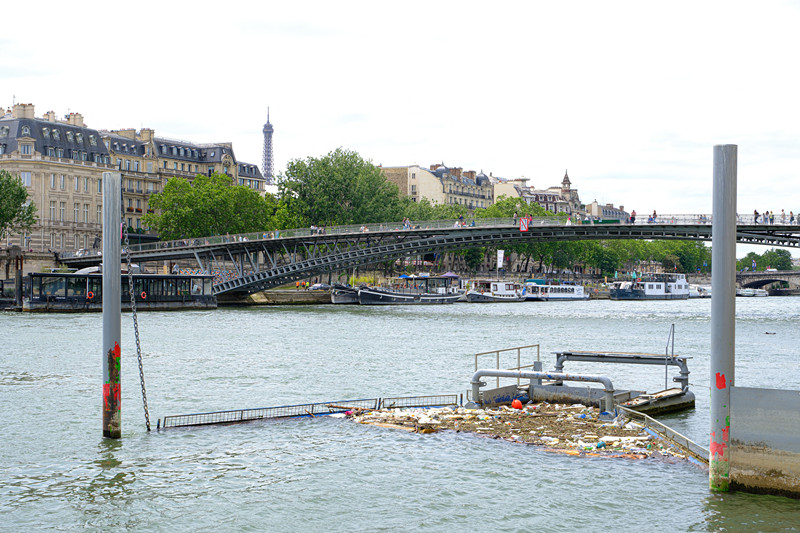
(765, 441)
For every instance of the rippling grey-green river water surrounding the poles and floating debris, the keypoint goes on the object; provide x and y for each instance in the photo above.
(323, 474)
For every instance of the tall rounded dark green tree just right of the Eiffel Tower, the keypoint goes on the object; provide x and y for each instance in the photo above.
(337, 189)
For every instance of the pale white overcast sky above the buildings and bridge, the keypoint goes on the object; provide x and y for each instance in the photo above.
(628, 97)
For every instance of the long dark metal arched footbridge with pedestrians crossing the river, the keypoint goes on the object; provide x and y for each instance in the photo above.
(253, 262)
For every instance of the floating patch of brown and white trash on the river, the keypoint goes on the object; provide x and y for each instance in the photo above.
(572, 429)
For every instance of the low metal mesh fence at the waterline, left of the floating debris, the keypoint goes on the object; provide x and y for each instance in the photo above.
(302, 410)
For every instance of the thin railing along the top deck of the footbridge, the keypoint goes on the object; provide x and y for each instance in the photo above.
(682, 219)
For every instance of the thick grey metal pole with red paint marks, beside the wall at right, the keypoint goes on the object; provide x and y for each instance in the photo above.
(723, 312)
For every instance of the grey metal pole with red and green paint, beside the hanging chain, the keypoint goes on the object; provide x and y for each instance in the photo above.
(112, 304)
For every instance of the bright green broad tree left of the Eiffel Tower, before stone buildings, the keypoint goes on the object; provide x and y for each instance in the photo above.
(209, 205)
